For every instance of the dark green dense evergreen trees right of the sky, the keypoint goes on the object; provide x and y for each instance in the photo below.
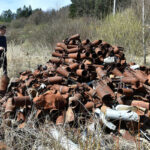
(98, 8)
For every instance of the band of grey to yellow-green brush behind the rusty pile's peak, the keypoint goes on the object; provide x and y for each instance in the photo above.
(123, 29)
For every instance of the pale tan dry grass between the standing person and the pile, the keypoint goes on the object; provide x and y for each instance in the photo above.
(25, 57)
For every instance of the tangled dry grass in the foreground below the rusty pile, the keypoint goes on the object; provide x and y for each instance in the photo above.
(32, 138)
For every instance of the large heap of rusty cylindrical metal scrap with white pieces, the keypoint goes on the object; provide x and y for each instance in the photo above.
(82, 81)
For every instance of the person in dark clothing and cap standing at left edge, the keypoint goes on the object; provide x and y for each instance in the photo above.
(3, 48)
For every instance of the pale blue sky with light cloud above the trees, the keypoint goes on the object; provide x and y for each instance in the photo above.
(44, 4)
